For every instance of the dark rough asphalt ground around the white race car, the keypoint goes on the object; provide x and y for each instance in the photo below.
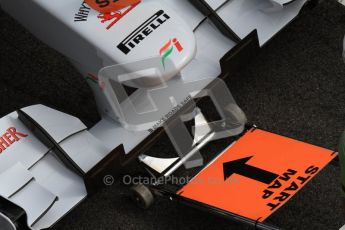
(295, 87)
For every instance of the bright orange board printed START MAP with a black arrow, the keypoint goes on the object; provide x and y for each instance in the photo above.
(257, 175)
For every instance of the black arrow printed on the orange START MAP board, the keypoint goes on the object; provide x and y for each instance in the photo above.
(241, 168)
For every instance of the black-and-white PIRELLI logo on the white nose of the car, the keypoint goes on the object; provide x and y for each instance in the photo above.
(143, 31)
